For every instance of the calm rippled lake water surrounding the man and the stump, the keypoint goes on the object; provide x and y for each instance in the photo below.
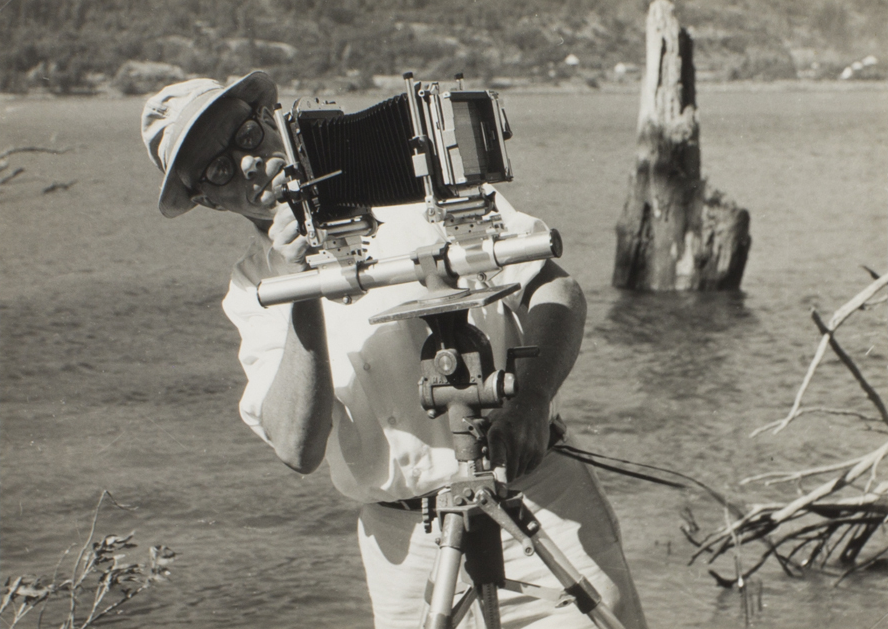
(119, 369)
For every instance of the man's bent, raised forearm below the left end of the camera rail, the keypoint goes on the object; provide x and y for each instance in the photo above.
(297, 411)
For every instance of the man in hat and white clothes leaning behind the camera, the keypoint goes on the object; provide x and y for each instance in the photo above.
(325, 384)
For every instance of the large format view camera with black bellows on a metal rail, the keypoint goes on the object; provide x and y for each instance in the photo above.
(426, 145)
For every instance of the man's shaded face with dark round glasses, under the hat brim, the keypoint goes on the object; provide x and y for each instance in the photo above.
(233, 160)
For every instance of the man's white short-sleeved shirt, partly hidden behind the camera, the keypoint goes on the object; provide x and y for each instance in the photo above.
(383, 446)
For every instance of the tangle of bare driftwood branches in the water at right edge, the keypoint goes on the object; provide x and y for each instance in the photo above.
(820, 524)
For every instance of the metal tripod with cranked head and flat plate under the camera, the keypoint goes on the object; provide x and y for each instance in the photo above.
(459, 379)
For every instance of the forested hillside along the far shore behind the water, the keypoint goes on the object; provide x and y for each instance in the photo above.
(69, 46)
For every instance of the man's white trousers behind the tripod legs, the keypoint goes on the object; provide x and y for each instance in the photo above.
(565, 497)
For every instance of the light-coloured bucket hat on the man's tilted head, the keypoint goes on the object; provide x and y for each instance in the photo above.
(170, 114)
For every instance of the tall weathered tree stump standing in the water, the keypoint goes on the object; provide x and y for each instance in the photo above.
(672, 235)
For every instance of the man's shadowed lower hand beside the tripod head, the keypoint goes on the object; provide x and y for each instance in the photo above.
(519, 435)
